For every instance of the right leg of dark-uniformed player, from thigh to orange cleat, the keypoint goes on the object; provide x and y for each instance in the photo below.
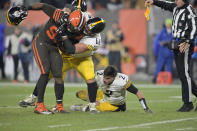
(56, 68)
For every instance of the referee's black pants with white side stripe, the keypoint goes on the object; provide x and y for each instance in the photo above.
(183, 65)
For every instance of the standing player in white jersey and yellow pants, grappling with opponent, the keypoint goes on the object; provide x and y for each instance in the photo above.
(80, 58)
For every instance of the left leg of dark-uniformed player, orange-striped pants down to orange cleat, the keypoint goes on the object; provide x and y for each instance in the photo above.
(40, 52)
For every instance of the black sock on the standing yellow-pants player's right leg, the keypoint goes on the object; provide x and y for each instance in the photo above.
(92, 91)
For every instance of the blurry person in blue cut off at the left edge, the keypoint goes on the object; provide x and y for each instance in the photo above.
(2, 50)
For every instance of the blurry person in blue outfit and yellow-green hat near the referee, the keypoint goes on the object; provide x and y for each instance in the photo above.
(163, 54)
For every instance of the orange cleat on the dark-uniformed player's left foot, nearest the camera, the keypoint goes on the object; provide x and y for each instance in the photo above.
(41, 109)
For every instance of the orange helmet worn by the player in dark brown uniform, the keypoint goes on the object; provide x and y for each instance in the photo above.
(76, 21)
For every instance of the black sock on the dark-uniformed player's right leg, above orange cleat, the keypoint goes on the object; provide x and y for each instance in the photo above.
(59, 92)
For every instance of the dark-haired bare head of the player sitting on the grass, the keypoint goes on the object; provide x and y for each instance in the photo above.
(110, 71)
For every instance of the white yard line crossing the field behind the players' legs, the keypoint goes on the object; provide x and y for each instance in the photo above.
(4, 84)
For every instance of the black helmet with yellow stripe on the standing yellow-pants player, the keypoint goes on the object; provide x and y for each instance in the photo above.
(94, 25)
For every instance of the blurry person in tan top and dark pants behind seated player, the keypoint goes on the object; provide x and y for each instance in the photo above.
(114, 40)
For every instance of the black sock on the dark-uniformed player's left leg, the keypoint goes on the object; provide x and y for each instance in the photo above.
(41, 86)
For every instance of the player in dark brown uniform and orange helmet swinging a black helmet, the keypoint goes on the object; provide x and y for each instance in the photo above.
(45, 49)
